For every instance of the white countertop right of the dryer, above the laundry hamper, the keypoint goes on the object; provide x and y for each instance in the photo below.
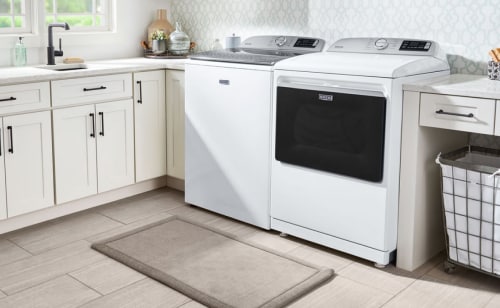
(458, 84)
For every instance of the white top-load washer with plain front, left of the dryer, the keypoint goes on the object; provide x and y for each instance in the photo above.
(228, 125)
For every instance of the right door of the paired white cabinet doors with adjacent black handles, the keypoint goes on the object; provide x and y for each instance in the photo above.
(115, 145)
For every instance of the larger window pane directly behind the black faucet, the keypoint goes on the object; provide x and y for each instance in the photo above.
(83, 15)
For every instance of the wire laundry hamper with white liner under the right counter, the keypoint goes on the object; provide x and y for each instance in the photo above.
(471, 208)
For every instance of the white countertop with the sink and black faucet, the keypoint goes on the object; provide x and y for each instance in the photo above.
(14, 75)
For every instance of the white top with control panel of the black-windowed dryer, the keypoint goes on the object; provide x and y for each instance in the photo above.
(388, 58)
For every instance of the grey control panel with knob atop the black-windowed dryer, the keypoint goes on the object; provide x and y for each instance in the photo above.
(380, 45)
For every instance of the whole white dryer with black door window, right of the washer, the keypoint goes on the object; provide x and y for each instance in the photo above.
(336, 136)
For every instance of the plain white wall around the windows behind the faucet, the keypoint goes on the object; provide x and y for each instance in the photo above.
(132, 19)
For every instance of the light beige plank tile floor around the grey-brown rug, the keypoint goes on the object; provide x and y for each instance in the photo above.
(52, 265)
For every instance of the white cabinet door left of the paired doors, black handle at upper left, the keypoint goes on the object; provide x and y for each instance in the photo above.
(28, 162)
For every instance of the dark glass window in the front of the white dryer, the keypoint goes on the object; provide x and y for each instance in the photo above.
(331, 131)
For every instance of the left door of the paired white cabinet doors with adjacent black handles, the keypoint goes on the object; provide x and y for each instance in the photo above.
(75, 153)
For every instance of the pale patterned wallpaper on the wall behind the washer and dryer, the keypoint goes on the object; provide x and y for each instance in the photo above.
(466, 29)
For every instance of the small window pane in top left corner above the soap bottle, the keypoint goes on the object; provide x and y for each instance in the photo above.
(15, 16)
